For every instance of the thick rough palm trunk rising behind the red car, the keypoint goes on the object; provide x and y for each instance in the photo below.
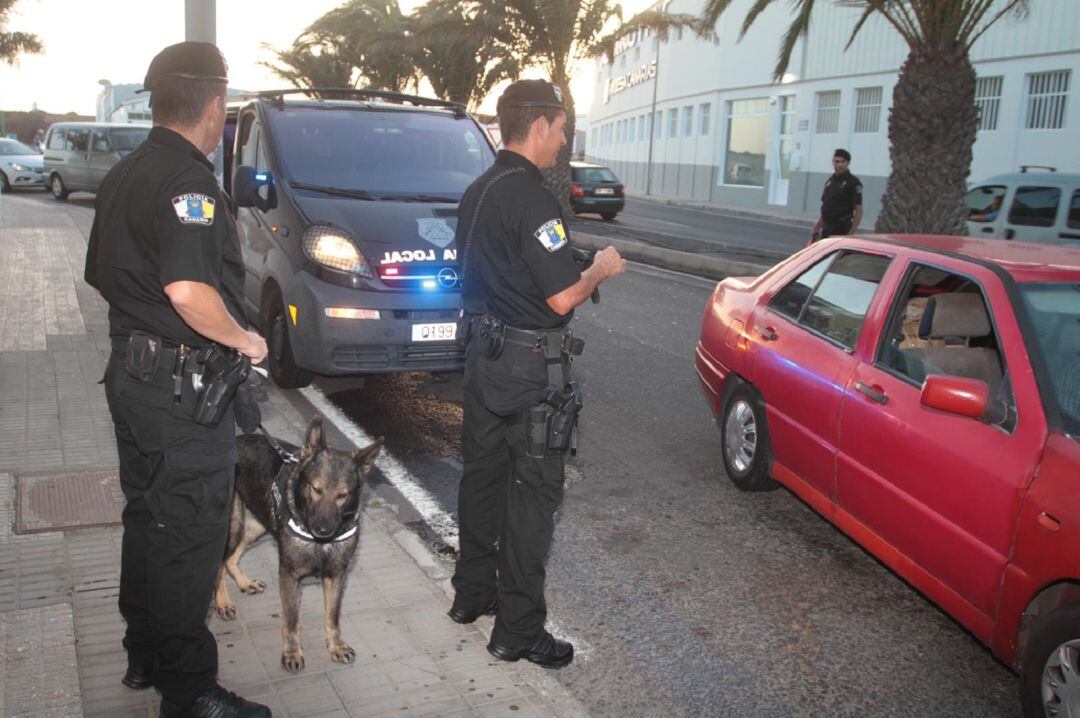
(931, 132)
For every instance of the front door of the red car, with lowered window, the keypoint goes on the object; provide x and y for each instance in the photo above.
(943, 490)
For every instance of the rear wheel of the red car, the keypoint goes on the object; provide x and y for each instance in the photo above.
(745, 439)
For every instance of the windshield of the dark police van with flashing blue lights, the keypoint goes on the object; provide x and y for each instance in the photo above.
(387, 154)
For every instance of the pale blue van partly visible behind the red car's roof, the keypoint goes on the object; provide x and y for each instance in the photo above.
(1036, 205)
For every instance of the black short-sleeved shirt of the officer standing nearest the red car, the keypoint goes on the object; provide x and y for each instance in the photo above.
(520, 253)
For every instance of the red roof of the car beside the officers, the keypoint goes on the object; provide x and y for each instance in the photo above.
(1025, 262)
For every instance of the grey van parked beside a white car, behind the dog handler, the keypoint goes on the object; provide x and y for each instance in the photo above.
(79, 155)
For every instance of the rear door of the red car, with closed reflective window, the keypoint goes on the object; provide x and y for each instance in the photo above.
(804, 336)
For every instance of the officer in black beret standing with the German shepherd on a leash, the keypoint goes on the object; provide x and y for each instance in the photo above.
(166, 255)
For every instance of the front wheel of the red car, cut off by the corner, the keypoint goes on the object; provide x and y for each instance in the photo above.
(1049, 679)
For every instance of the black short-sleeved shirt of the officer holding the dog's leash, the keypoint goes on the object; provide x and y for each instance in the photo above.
(161, 218)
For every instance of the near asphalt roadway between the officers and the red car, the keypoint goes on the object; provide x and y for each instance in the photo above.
(685, 597)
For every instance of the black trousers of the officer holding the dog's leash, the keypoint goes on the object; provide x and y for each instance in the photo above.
(178, 478)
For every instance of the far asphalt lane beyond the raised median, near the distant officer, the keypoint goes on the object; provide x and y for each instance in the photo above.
(688, 229)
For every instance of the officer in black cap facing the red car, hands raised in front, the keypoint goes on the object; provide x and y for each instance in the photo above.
(521, 286)
